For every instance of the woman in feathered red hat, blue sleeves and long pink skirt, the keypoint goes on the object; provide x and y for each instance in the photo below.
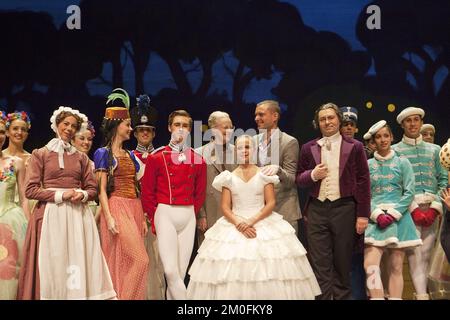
(122, 223)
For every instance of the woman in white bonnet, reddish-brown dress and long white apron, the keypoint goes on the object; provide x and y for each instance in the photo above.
(62, 253)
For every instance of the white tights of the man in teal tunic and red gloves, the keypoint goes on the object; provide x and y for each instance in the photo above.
(419, 258)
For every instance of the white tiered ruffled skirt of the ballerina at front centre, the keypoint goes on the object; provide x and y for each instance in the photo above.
(271, 266)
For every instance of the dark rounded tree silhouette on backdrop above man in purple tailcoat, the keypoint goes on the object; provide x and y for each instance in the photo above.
(321, 59)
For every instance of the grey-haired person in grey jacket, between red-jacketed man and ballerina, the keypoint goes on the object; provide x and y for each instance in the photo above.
(219, 156)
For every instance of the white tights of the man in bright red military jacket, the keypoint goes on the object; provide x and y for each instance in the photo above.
(175, 229)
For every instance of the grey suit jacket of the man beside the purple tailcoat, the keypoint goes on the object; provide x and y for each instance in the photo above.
(286, 156)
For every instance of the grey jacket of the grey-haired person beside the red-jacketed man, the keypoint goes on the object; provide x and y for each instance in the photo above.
(211, 208)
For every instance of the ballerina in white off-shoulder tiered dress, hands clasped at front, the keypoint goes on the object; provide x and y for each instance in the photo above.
(251, 253)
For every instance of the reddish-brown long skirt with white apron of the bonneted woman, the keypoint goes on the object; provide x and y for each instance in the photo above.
(63, 256)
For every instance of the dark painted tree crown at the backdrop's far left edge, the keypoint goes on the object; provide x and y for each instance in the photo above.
(29, 40)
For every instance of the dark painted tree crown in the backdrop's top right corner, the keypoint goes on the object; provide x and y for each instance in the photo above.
(414, 44)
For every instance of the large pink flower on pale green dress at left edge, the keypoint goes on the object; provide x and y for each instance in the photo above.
(9, 253)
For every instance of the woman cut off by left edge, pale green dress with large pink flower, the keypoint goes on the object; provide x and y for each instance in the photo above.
(13, 223)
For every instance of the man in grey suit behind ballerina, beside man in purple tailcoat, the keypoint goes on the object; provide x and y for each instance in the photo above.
(278, 154)
